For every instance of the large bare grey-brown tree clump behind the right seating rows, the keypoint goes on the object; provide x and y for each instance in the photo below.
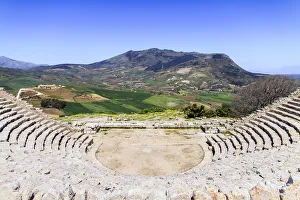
(262, 93)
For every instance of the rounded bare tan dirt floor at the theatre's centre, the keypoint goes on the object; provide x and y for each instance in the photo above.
(150, 152)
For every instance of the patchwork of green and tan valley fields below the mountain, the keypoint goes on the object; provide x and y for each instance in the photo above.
(93, 101)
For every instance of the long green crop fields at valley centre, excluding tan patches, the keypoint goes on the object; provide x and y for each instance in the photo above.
(122, 102)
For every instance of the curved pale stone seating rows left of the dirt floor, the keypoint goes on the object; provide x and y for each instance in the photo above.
(29, 128)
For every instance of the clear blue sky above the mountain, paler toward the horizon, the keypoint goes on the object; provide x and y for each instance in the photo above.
(259, 35)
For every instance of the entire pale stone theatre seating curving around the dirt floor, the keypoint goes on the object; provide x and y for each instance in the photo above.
(257, 158)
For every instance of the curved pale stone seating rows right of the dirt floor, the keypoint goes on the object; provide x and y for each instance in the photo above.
(275, 127)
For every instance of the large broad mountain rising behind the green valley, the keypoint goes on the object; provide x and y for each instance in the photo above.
(155, 69)
